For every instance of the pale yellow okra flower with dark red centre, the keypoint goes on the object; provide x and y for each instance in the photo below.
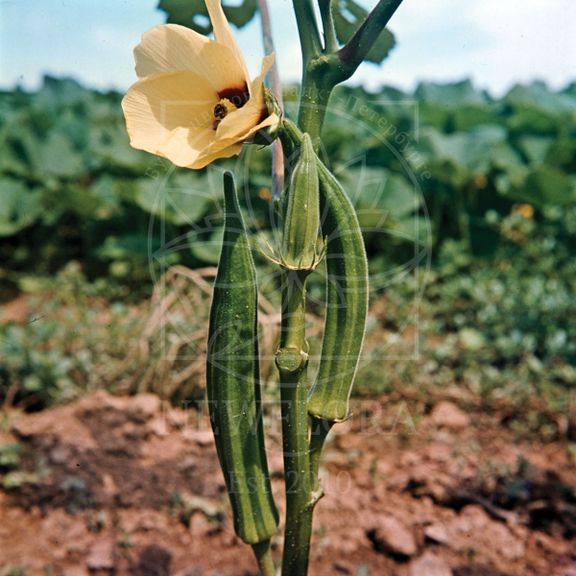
(194, 101)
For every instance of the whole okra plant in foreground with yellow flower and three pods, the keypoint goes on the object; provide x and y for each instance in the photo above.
(194, 103)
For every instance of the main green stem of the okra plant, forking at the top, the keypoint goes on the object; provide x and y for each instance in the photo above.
(321, 72)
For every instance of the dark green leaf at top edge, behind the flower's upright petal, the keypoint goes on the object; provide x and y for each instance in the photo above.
(193, 13)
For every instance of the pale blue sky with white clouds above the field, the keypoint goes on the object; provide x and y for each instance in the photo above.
(495, 42)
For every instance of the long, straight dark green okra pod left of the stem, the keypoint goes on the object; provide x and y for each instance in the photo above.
(233, 384)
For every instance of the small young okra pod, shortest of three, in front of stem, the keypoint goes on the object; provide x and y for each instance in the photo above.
(302, 217)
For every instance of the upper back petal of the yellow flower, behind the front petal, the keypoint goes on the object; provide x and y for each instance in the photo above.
(170, 47)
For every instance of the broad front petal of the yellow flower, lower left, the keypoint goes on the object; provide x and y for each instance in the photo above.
(171, 115)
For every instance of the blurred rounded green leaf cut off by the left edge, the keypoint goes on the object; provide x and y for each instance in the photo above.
(19, 206)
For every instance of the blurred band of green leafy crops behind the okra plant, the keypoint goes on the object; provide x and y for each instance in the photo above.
(476, 193)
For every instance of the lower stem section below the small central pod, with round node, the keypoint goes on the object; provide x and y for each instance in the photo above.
(292, 360)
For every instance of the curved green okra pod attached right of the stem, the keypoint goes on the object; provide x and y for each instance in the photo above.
(346, 302)
